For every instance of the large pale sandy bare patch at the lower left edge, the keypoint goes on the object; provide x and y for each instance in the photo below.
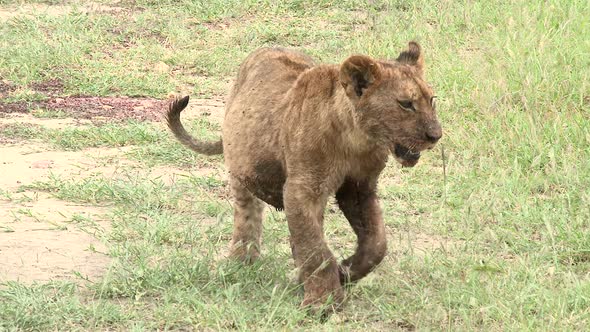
(39, 241)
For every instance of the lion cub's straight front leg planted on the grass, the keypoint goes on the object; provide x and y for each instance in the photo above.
(304, 207)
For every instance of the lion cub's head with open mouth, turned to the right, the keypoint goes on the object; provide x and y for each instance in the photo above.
(393, 103)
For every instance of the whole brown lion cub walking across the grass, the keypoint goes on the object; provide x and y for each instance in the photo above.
(295, 134)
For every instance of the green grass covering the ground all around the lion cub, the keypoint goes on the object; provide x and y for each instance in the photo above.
(509, 217)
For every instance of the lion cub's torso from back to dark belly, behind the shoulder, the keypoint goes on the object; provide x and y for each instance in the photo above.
(253, 119)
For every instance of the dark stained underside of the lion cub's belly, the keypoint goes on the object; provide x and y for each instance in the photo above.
(266, 182)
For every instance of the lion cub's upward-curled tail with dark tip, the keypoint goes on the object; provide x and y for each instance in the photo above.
(173, 119)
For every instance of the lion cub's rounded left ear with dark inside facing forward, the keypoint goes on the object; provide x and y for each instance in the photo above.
(357, 73)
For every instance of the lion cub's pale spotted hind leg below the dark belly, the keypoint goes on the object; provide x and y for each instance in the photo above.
(247, 233)
